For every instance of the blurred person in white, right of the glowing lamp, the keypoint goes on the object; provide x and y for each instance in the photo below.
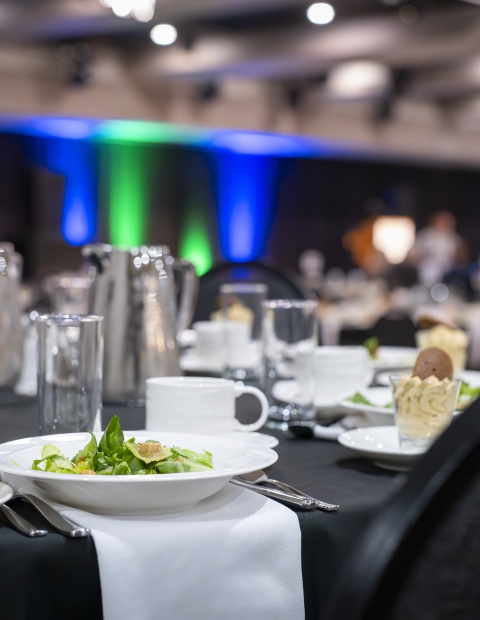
(438, 249)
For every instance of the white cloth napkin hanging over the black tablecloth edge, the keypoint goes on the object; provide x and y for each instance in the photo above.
(235, 556)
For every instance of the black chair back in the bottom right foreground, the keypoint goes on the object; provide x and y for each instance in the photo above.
(418, 558)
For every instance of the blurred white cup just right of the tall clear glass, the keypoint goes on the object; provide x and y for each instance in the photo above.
(340, 372)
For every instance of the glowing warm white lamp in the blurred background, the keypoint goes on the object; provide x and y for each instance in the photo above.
(394, 236)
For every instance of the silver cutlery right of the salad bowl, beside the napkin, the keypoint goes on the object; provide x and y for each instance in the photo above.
(283, 492)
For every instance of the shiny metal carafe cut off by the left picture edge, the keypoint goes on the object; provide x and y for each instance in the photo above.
(11, 331)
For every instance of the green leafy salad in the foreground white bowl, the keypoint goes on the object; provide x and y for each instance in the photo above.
(113, 456)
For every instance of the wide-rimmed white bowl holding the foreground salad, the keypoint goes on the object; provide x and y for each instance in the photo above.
(132, 495)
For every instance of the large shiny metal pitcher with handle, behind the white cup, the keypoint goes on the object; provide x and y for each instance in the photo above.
(134, 290)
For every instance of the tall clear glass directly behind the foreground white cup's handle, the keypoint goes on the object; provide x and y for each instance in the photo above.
(290, 335)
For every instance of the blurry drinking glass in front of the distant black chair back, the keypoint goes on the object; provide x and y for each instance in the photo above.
(241, 306)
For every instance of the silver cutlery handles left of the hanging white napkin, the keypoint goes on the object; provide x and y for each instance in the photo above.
(53, 517)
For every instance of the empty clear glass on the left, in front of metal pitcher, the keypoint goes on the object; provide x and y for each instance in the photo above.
(70, 359)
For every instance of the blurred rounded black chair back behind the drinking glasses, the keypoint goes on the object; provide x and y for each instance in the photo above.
(280, 284)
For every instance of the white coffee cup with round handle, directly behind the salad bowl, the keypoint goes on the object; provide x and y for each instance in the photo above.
(201, 405)
